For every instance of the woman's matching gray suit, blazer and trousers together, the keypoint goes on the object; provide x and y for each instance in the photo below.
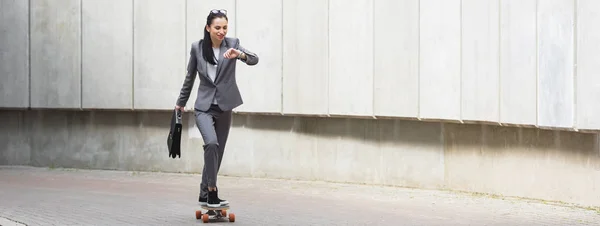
(212, 120)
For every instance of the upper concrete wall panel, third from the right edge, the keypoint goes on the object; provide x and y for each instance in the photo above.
(518, 62)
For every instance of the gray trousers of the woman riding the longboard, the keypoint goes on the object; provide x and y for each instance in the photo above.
(214, 126)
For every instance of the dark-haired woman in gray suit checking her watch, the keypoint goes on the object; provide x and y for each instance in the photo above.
(214, 59)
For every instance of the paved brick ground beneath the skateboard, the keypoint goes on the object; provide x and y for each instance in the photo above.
(40, 196)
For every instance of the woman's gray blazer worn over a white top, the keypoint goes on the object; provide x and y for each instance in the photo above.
(225, 88)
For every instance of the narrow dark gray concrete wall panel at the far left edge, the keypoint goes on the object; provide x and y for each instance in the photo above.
(14, 54)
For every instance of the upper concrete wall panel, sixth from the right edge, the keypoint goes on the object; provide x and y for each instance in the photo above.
(396, 72)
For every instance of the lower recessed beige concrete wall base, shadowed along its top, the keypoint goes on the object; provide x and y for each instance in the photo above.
(527, 162)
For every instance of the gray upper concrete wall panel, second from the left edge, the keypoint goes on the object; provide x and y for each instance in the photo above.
(55, 32)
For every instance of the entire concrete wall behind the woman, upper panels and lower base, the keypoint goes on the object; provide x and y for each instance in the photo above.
(518, 63)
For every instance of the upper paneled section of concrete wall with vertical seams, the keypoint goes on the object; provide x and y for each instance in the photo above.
(525, 63)
